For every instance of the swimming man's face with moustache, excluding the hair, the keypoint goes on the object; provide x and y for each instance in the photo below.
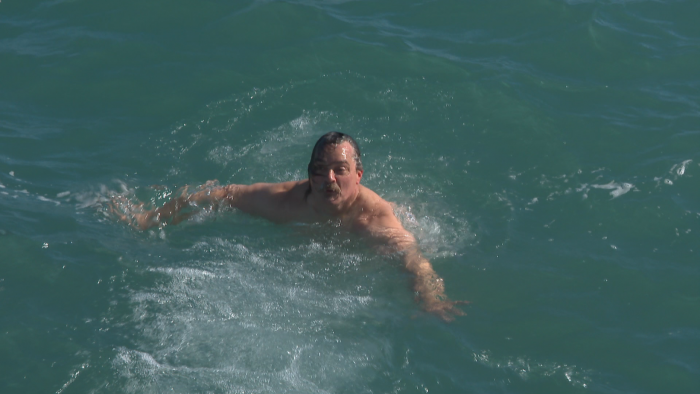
(334, 176)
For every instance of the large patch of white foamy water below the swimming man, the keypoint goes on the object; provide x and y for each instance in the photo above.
(246, 317)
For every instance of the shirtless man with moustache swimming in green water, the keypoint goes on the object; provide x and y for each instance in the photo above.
(332, 192)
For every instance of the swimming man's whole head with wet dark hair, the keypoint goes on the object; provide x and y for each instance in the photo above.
(335, 170)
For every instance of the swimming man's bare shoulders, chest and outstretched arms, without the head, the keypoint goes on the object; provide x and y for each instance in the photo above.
(365, 213)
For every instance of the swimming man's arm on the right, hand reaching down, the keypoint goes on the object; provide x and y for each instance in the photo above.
(385, 229)
